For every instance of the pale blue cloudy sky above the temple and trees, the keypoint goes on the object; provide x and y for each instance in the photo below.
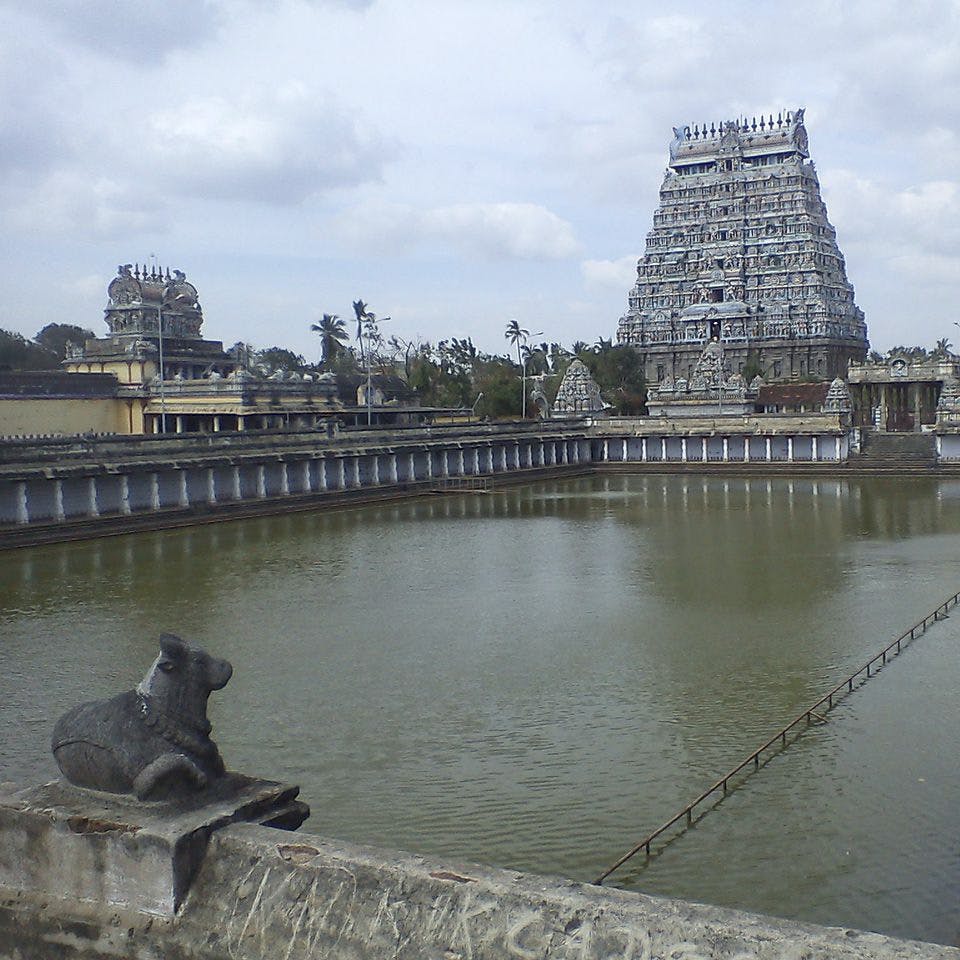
(455, 164)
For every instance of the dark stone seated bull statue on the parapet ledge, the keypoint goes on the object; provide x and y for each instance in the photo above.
(153, 741)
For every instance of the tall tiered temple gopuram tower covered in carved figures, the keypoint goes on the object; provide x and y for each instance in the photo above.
(741, 251)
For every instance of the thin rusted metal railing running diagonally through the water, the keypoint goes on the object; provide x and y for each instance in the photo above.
(809, 714)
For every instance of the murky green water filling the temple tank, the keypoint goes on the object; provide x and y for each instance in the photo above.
(537, 678)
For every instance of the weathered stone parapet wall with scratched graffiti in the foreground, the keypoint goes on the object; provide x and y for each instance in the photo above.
(263, 893)
